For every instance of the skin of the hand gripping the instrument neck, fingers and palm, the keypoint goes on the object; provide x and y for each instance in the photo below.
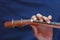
(42, 32)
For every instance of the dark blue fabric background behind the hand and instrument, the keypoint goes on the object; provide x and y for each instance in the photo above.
(17, 9)
